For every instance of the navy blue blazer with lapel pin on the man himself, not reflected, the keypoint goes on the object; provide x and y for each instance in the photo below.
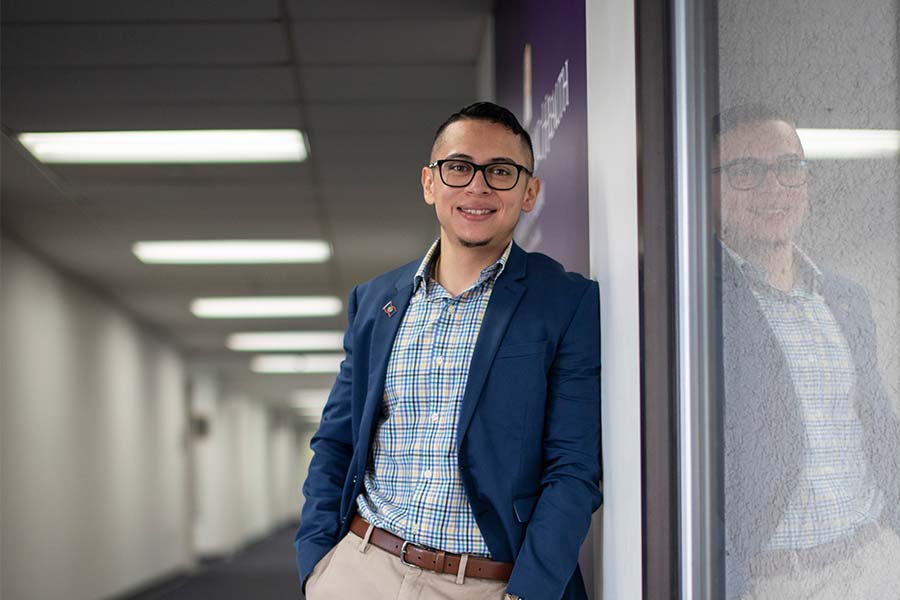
(528, 431)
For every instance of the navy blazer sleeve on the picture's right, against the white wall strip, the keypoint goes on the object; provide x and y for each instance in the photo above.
(570, 490)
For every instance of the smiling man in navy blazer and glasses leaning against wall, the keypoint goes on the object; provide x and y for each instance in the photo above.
(458, 453)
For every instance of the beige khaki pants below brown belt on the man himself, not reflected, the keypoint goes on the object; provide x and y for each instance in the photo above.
(356, 569)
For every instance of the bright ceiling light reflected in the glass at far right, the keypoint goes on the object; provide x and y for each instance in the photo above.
(820, 144)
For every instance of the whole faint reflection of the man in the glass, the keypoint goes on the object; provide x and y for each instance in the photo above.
(811, 442)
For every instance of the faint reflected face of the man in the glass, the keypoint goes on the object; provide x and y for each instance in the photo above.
(771, 213)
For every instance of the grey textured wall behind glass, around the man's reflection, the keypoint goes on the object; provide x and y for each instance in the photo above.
(832, 64)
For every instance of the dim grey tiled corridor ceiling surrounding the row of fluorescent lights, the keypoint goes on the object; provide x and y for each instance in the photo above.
(367, 81)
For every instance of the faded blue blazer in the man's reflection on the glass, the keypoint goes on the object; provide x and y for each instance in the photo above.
(763, 426)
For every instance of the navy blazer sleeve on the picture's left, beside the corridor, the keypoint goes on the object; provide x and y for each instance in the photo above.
(332, 445)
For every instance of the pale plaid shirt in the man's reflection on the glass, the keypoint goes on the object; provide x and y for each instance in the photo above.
(836, 492)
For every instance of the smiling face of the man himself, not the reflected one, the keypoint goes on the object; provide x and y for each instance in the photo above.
(478, 216)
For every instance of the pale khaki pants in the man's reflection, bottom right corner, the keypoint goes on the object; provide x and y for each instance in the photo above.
(872, 572)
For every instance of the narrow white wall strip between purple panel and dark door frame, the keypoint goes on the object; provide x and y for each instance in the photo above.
(612, 188)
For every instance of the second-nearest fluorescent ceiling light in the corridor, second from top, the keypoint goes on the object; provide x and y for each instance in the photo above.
(232, 252)
